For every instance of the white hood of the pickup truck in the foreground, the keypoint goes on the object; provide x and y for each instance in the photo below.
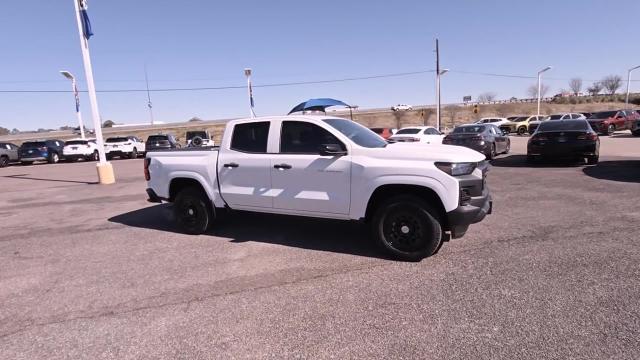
(428, 152)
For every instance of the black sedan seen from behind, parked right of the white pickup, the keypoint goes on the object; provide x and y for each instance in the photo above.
(564, 139)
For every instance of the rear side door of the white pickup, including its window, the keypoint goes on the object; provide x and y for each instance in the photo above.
(244, 167)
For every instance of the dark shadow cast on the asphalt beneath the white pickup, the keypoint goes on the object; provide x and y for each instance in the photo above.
(305, 233)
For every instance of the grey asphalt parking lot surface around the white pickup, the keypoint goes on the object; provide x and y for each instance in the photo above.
(96, 272)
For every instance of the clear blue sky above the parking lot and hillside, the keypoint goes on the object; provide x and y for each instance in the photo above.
(203, 43)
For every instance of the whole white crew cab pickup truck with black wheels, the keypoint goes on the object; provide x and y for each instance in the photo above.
(319, 166)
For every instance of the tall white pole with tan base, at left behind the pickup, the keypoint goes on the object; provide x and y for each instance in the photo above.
(105, 170)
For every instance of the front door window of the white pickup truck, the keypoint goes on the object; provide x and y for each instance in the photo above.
(299, 137)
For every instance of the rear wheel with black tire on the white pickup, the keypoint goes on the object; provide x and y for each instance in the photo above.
(192, 211)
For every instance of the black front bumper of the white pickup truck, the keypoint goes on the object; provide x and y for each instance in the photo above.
(472, 209)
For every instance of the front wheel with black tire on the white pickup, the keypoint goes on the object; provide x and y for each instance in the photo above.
(406, 228)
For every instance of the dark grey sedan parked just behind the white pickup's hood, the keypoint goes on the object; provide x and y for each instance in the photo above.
(484, 138)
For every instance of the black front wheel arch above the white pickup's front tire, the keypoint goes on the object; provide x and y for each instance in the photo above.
(389, 190)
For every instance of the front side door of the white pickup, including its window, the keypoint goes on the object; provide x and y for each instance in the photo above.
(302, 179)
